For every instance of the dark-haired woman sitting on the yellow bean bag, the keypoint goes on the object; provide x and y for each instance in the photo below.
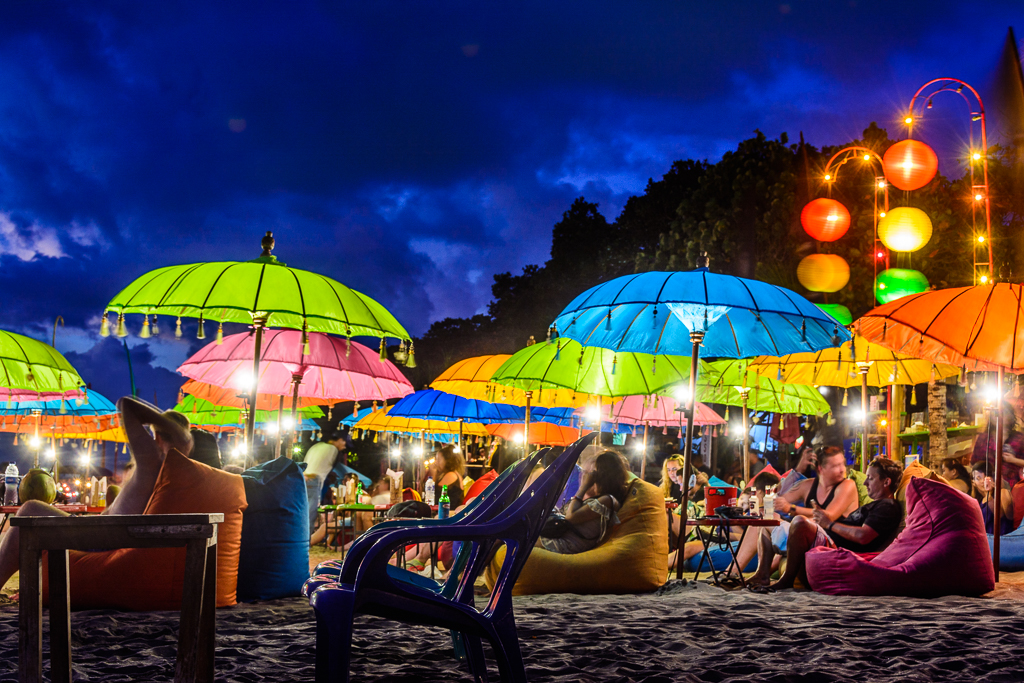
(592, 511)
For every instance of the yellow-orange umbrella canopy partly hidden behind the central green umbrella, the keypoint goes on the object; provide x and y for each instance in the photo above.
(472, 379)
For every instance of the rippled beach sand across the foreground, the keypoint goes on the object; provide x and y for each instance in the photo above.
(692, 632)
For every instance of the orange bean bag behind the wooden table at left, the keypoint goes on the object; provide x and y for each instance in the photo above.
(151, 579)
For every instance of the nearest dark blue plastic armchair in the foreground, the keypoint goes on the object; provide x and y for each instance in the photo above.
(374, 591)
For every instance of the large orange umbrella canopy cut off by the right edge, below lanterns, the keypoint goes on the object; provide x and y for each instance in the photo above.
(977, 328)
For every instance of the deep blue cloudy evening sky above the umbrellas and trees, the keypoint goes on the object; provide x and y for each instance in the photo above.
(410, 150)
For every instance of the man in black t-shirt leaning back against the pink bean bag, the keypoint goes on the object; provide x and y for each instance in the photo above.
(868, 530)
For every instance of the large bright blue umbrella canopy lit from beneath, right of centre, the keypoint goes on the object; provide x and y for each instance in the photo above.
(655, 313)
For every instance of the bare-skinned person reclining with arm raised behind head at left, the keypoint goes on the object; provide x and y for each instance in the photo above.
(170, 433)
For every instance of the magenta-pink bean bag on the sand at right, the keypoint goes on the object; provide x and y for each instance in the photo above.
(944, 550)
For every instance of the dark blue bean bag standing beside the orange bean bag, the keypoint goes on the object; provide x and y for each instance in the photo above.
(275, 558)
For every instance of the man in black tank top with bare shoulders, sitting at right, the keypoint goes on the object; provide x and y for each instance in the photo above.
(830, 491)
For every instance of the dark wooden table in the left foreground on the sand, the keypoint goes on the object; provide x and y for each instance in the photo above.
(197, 533)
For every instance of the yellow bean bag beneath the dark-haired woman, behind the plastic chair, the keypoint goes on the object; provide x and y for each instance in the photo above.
(632, 560)
